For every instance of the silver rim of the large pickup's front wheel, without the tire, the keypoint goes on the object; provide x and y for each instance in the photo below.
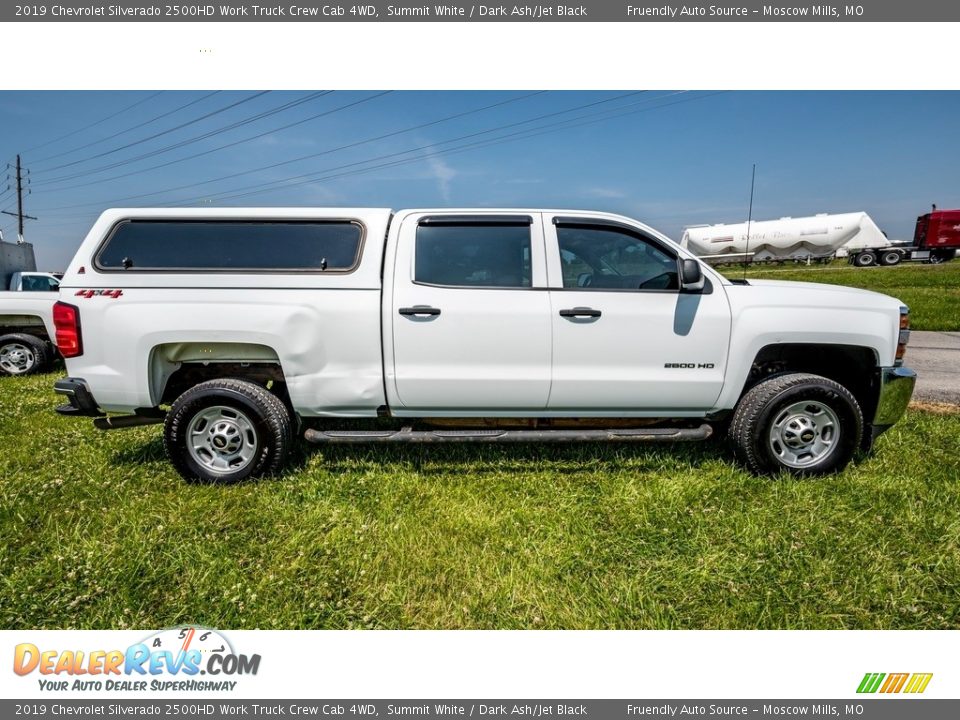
(804, 433)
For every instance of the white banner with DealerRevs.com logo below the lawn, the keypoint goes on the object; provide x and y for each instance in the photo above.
(445, 664)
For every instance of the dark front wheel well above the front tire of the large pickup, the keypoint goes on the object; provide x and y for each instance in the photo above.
(852, 366)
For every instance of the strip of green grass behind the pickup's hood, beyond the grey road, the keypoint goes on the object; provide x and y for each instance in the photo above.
(931, 291)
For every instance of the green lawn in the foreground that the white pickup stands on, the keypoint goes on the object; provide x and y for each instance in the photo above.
(97, 531)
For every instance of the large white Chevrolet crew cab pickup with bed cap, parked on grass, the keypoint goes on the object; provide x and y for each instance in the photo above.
(255, 326)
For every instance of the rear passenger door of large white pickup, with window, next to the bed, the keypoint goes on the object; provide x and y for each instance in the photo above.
(482, 348)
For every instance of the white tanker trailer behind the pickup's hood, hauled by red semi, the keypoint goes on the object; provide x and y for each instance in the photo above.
(808, 238)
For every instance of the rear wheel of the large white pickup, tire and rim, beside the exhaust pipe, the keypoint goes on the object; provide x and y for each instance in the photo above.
(247, 411)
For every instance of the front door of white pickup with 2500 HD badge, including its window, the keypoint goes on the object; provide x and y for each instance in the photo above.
(640, 349)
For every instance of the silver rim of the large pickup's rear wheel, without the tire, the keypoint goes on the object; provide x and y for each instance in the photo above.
(222, 439)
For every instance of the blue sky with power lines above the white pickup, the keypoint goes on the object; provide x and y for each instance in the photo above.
(668, 158)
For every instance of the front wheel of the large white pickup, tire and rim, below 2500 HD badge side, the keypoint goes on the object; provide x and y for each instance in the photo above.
(772, 428)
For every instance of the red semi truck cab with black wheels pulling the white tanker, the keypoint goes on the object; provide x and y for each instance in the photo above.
(936, 239)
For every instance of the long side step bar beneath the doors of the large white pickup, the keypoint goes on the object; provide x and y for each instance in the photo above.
(408, 435)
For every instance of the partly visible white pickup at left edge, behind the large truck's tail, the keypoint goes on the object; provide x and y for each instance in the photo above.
(26, 323)
